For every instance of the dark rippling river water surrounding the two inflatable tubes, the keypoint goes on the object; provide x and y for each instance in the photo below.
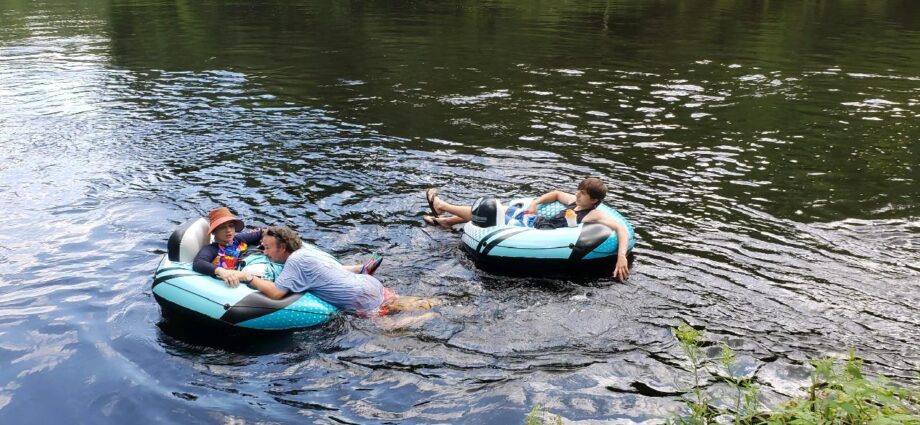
(767, 153)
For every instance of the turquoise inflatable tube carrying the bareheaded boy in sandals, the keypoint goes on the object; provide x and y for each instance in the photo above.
(514, 250)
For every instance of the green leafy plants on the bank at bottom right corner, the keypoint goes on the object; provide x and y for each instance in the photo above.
(839, 393)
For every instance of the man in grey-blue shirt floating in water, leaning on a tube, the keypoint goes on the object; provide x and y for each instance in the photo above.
(309, 269)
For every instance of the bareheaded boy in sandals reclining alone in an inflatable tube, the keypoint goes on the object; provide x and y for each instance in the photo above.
(584, 202)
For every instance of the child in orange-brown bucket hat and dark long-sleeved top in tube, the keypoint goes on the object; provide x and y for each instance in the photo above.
(221, 258)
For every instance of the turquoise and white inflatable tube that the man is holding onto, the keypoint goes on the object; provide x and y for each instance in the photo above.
(182, 292)
